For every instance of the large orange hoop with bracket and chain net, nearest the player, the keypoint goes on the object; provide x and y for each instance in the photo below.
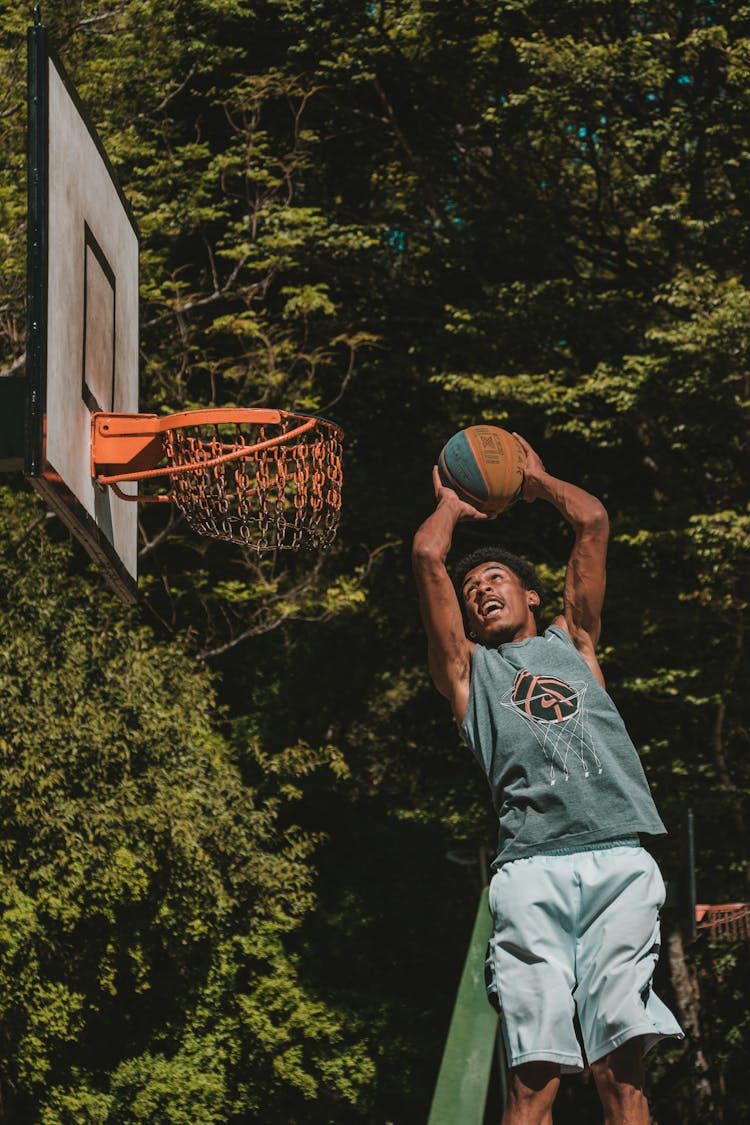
(267, 480)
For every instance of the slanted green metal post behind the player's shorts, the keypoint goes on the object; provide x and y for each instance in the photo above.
(464, 1078)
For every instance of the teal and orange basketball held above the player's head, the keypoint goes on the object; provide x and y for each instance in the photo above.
(485, 466)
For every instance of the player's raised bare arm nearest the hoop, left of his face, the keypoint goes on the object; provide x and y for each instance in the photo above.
(448, 646)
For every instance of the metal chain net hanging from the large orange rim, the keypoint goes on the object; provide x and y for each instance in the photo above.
(284, 497)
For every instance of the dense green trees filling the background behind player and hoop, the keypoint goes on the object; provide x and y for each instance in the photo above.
(227, 893)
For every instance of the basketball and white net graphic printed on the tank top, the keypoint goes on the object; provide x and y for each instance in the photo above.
(557, 715)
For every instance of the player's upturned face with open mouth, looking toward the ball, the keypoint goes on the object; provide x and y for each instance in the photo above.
(500, 609)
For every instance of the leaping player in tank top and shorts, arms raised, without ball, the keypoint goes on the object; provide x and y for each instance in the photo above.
(575, 897)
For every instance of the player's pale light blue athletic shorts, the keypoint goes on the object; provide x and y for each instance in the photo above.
(577, 933)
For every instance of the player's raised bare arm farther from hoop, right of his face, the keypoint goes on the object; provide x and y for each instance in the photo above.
(586, 574)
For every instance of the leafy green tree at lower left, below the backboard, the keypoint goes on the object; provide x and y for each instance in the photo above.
(149, 888)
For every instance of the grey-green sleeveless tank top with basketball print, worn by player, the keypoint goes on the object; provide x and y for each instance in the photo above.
(562, 768)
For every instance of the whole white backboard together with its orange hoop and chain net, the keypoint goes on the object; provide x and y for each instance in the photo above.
(268, 480)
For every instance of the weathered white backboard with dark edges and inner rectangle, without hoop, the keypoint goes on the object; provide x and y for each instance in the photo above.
(83, 338)
